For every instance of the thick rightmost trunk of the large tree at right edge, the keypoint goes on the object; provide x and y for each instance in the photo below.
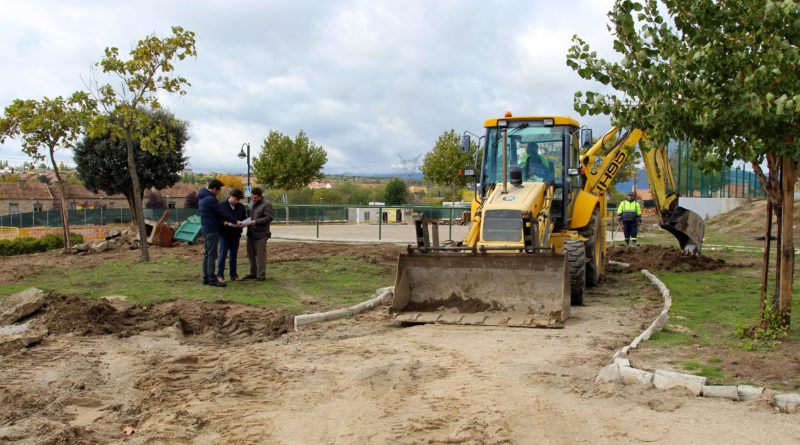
(788, 176)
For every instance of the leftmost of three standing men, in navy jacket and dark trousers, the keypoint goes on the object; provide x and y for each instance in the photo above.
(212, 219)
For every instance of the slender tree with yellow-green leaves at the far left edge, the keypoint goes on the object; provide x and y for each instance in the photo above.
(49, 124)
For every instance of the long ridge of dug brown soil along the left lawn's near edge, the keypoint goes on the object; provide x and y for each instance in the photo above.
(222, 321)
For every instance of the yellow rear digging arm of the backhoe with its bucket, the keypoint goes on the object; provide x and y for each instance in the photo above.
(600, 169)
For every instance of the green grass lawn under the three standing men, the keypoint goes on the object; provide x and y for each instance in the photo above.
(293, 286)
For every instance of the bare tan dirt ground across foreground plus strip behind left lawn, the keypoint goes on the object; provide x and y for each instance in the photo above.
(190, 372)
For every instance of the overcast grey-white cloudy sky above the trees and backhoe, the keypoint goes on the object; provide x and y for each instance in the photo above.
(370, 81)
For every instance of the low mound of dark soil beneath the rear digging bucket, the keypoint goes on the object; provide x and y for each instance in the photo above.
(655, 258)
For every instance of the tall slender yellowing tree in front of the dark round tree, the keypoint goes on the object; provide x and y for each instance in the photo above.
(137, 84)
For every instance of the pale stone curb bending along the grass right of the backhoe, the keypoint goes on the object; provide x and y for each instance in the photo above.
(621, 372)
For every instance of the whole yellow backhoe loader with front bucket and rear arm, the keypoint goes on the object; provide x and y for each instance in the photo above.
(538, 233)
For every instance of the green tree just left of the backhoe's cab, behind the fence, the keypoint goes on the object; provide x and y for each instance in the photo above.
(441, 165)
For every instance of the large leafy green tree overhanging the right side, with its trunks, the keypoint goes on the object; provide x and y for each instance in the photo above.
(722, 76)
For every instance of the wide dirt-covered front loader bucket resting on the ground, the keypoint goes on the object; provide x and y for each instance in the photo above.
(502, 289)
